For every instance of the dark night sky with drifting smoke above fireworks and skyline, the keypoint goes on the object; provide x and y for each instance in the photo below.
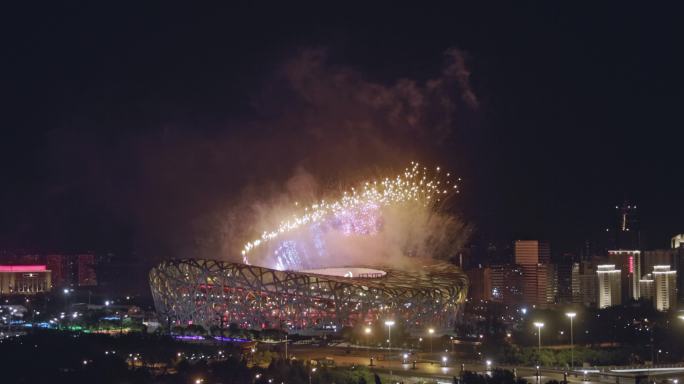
(139, 129)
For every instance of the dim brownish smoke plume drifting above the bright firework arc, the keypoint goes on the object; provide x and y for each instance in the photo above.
(192, 188)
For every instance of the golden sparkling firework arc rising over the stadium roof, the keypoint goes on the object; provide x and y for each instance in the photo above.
(357, 212)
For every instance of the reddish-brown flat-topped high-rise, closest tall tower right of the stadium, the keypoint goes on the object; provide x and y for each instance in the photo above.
(534, 257)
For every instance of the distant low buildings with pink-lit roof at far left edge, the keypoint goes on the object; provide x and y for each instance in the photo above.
(26, 274)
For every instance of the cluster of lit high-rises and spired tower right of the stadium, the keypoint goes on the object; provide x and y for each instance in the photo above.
(622, 273)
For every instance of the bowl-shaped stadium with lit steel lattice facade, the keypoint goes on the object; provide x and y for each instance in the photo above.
(214, 293)
